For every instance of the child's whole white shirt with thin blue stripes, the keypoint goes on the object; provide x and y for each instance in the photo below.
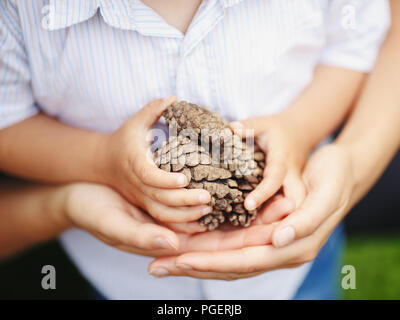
(94, 63)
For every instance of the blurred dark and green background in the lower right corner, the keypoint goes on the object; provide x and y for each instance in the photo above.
(373, 239)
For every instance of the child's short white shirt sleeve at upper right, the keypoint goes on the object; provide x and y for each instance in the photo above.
(355, 31)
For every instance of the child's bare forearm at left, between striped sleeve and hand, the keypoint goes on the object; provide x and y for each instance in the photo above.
(43, 149)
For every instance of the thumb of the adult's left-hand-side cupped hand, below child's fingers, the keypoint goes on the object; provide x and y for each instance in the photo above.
(120, 227)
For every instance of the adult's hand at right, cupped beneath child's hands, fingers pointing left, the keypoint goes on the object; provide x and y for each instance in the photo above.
(296, 239)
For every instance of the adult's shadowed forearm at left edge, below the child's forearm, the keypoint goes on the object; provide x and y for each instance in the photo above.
(29, 214)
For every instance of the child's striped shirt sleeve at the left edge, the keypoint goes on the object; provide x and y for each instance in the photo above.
(16, 98)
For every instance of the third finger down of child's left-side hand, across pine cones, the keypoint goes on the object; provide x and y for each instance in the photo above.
(176, 214)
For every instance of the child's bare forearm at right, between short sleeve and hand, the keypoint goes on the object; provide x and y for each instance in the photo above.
(324, 104)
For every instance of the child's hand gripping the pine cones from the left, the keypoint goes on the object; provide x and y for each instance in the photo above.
(130, 169)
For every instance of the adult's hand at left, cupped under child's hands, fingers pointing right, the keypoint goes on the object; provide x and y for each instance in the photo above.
(109, 217)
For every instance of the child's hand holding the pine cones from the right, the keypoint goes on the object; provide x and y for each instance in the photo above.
(284, 162)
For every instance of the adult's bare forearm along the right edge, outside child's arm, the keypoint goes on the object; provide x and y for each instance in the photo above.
(372, 134)
